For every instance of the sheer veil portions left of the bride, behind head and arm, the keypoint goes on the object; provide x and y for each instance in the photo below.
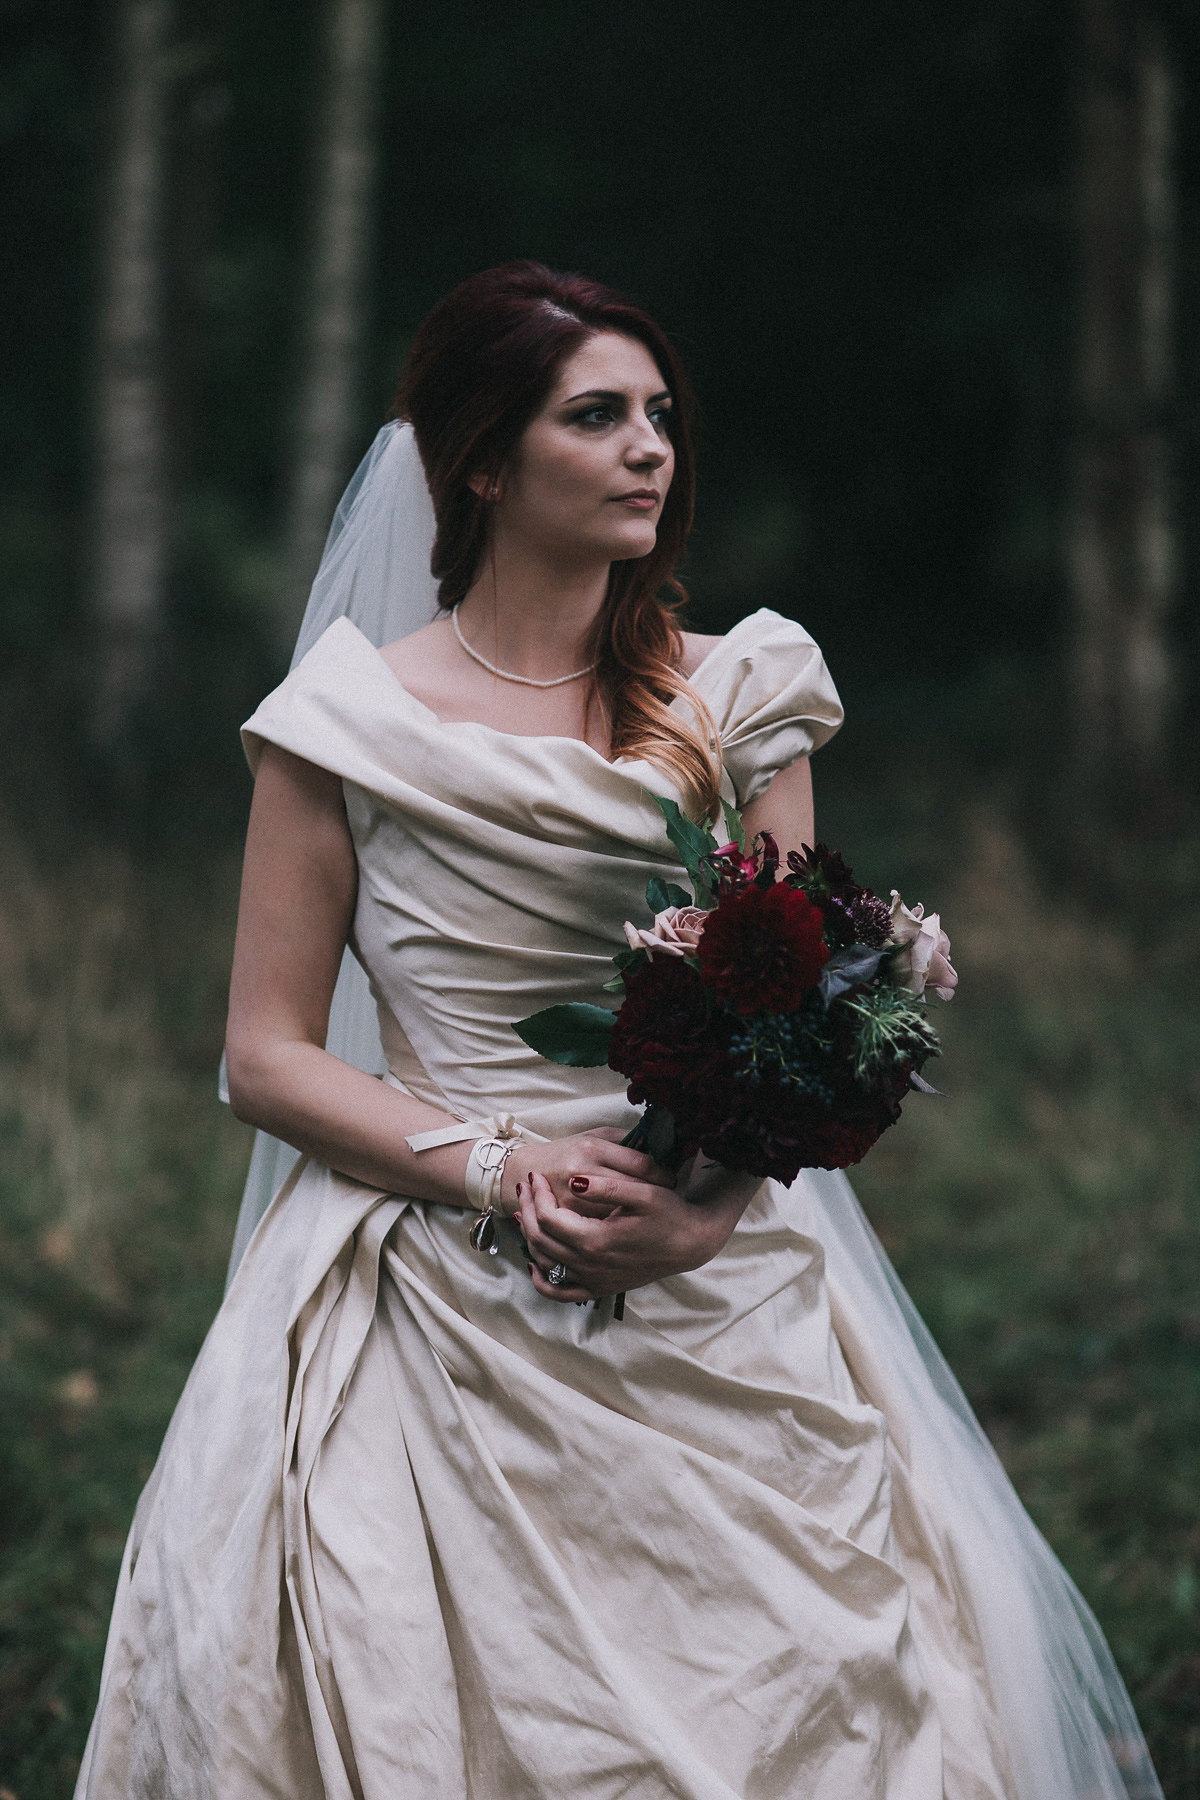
(377, 573)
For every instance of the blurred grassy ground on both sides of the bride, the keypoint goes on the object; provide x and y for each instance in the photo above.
(1046, 1218)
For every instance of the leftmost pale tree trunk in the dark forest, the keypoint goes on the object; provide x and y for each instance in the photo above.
(130, 544)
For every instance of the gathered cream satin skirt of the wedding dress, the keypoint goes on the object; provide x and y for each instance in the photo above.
(420, 1533)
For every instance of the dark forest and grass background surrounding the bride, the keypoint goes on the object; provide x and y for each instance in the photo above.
(935, 269)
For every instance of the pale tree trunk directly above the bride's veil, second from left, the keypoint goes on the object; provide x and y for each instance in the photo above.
(334, 323)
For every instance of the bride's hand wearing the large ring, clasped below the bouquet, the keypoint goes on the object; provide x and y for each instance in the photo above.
(640, 1232)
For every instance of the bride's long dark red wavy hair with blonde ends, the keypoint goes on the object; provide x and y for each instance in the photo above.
(479, 368)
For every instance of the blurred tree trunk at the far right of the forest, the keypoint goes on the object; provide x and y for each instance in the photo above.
(1124, 544)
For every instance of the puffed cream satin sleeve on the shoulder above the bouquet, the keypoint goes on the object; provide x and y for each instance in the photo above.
(771, 696)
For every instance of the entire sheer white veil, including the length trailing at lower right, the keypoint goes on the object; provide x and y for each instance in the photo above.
(1062, 1711)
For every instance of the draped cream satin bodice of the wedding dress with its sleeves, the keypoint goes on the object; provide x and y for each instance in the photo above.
(497, 870)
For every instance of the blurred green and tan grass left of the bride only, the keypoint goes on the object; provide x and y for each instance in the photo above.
(118, 1185)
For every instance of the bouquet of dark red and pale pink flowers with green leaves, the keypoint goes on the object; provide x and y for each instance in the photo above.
(771, 1021)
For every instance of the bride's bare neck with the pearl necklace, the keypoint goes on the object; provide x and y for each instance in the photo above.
(533, 618)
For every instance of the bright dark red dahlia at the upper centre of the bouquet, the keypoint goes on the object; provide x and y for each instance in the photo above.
(764, 949)
